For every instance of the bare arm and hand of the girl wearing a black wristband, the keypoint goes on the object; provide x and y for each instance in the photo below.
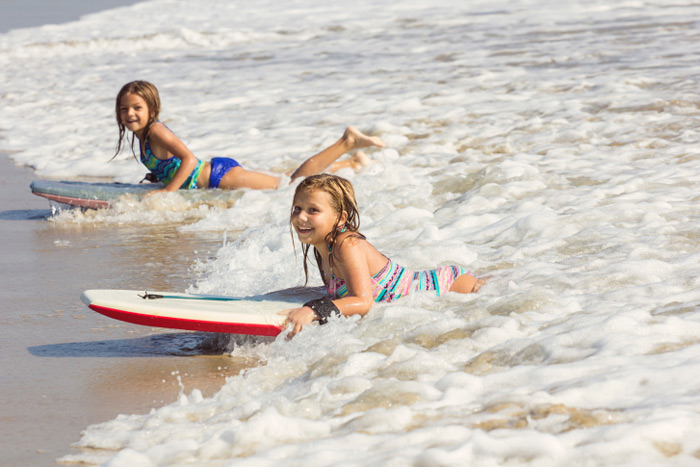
(350, 262)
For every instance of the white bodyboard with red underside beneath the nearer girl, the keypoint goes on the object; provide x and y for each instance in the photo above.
(257, 316)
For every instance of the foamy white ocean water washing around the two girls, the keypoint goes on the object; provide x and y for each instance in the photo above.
(549, 146)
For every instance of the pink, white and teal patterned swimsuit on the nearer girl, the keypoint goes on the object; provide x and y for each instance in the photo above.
(395, 281)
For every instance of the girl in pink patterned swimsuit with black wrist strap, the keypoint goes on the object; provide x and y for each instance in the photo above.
(325, 216)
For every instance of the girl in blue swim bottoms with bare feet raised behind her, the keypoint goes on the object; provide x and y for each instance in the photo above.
(173, 164)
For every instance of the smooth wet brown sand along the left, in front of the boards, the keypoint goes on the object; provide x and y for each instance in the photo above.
(66, 366)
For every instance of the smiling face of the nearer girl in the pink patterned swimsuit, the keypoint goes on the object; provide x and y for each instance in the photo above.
(313, 217)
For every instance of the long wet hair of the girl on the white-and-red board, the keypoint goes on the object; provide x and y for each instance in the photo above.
(342, 197)
